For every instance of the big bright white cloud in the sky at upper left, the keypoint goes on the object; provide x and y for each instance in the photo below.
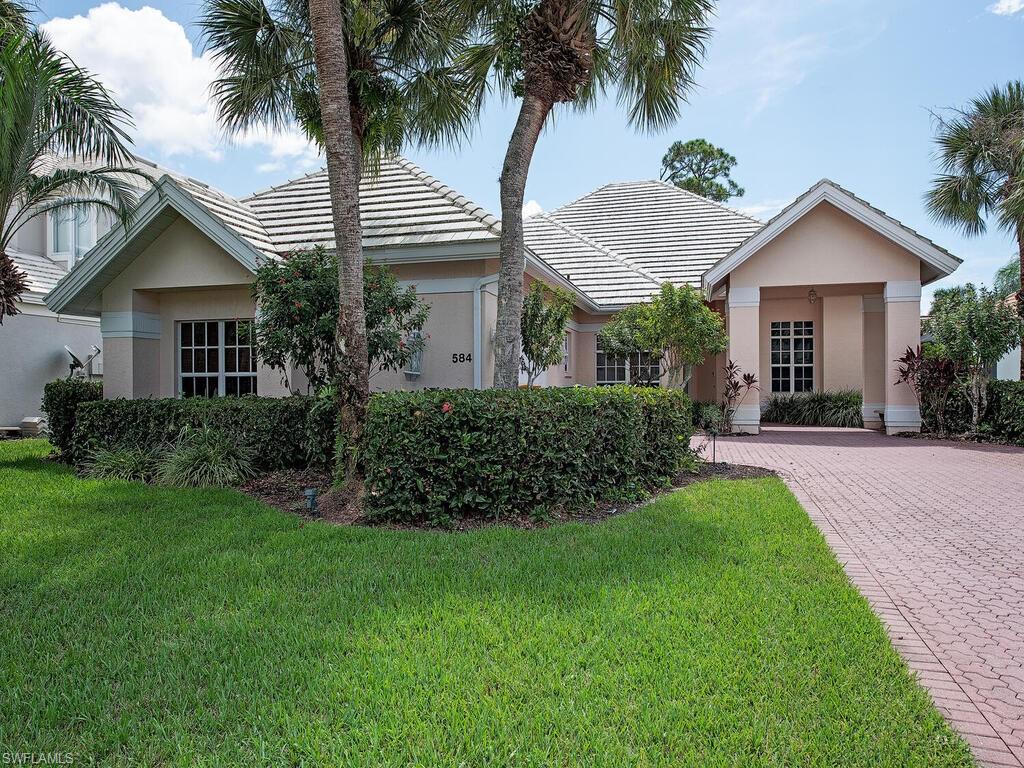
(151, 67)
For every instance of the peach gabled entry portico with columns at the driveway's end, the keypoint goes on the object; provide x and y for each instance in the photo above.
(828, 296)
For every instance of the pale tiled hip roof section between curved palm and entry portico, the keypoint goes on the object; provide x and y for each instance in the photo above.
(657, 230)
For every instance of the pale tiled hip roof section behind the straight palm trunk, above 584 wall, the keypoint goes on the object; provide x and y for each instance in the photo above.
(400, 205)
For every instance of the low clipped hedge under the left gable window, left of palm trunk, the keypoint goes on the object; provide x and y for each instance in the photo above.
(282, 433)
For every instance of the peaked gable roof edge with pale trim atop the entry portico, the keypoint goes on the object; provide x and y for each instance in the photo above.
(826, 191)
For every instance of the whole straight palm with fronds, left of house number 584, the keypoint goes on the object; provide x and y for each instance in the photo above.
(363, 78)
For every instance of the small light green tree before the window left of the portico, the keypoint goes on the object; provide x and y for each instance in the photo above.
(677, 327)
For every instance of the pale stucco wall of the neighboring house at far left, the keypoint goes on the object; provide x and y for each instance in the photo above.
(32, 354)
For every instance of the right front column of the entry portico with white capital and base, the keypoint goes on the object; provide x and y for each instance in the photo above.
(903, 302)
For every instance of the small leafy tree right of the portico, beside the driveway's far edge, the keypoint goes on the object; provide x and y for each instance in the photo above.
(974, 329)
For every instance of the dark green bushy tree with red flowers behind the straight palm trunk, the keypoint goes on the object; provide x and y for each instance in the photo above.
(298, 314)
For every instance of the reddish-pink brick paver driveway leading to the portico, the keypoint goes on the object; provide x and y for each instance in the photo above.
(932, 533)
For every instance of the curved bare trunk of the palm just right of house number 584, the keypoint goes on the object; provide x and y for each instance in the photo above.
(533, 113)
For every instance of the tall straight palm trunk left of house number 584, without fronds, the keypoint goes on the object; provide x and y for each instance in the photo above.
(345, 166)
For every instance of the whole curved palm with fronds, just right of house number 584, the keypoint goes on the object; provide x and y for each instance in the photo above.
(570, 52)
